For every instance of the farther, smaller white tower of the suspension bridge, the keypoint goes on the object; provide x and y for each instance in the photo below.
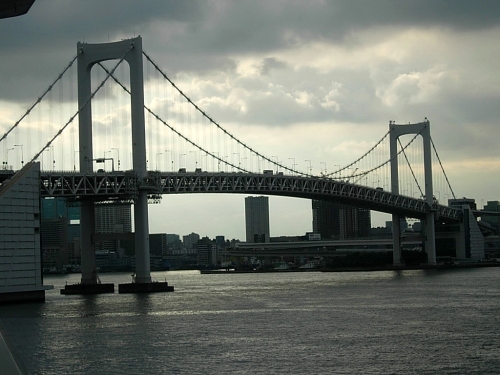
(422, 128)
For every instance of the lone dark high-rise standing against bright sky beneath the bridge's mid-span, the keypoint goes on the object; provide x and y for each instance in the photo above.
(257, 219)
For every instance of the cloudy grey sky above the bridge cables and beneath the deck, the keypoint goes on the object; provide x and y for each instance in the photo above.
(315, 80)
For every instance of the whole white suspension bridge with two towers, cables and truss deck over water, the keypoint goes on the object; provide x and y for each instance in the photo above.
(128, 134)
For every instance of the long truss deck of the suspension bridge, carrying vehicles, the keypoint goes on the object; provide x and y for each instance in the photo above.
(125, 186)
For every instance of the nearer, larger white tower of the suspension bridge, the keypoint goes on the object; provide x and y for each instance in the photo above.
(88, 56)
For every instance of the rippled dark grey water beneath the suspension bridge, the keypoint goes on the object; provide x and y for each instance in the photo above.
(409, 322)
